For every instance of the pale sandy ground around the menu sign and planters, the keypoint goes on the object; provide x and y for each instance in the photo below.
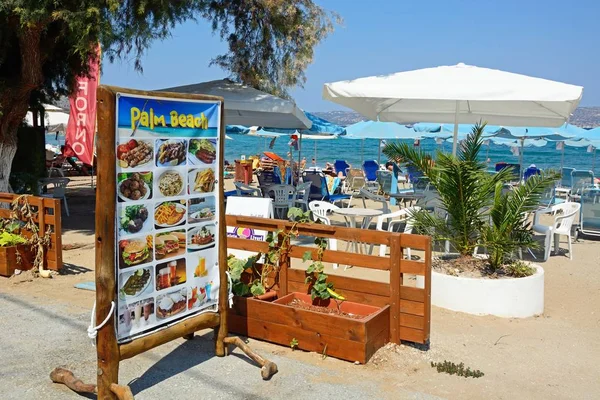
(554, 355)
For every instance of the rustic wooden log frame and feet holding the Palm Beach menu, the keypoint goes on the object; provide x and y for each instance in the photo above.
(109, 351)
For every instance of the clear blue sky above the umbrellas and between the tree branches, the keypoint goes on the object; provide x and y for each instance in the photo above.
(549, 39)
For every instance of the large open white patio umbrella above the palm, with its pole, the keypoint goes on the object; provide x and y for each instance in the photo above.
(458, 94)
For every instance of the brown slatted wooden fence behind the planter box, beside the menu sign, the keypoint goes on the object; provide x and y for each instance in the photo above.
(410, 307)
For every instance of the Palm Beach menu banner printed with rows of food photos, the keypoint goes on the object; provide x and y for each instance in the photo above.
(167, 227)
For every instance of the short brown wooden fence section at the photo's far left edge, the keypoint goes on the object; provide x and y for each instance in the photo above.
(48, 219)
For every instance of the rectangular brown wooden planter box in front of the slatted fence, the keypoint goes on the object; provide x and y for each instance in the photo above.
(334, 335)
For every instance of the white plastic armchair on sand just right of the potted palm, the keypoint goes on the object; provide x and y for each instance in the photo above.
(564, 216)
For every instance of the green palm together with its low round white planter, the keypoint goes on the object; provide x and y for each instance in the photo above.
(478, 210)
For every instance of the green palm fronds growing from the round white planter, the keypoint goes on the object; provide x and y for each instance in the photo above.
(476, 207)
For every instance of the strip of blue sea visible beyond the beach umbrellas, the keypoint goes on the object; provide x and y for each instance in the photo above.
(356, 151)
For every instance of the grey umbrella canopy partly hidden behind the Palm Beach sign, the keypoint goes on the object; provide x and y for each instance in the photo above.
(247, 106)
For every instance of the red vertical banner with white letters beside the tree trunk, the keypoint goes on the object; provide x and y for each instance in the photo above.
(82, 118)
